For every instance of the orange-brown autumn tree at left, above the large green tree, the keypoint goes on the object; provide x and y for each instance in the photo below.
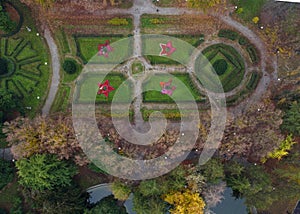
(44, 135)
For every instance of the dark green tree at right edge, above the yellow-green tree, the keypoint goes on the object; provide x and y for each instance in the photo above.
(291, 120)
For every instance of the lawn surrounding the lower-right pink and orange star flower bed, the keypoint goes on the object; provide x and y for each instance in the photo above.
(185, 89)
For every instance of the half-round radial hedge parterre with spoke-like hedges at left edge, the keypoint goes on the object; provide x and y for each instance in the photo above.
(27, 66)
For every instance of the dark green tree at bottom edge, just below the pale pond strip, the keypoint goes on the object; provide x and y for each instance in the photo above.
(107, 205)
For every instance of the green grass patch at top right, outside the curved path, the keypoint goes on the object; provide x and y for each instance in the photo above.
(250, 8)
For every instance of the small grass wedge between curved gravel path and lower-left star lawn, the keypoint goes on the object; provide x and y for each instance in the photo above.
(62, 98)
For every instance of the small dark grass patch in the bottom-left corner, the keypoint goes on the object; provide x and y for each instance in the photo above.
(9, 194)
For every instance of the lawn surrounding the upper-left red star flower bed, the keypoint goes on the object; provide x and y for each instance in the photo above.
(87, 48)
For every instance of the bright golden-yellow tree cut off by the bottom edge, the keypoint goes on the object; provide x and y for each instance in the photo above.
(185, 202)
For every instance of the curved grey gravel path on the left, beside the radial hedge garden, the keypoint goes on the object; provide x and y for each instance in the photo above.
(55, 64)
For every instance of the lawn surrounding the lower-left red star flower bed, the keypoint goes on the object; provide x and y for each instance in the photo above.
(89, 88)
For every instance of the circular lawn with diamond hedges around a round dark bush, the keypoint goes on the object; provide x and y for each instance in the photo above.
(234, 74)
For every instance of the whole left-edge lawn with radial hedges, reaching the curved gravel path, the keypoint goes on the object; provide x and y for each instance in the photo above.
(28, 52)
